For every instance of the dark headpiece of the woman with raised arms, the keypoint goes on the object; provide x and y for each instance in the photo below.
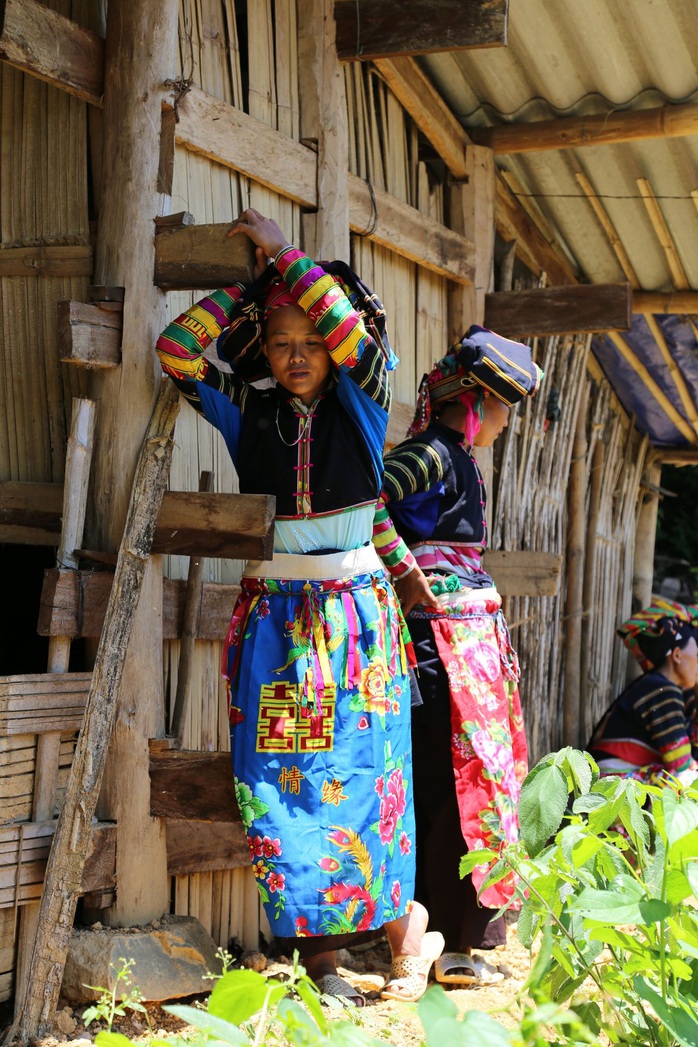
(240, 345)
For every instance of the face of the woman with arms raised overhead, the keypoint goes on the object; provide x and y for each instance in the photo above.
(298, 354)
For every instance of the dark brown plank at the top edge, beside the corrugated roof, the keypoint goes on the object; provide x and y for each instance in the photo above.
(384, 29)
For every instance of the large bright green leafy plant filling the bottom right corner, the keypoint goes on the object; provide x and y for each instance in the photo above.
(610, 885)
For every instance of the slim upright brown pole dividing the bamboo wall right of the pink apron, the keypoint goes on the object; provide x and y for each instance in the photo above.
(575, 598)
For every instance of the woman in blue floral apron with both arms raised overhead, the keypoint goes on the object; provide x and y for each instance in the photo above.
(319, 688)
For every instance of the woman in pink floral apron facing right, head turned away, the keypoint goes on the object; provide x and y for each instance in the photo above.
(469, 747)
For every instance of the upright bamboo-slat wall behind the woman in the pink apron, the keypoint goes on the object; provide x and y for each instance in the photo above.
(531, 513)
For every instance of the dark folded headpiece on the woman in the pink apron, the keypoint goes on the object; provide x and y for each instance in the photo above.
(482, 361)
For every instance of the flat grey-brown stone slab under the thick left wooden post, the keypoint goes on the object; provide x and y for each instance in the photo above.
(172, 957)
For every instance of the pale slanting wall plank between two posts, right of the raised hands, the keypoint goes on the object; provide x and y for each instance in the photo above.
(410, 233)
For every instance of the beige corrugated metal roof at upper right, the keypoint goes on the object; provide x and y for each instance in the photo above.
(575, 58)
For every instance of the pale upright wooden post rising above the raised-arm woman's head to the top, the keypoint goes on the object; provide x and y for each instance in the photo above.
(324, 121)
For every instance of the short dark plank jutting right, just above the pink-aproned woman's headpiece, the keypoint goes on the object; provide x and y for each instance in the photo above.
(560, 310)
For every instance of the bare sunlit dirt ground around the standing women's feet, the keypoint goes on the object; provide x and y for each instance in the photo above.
(388, 1020)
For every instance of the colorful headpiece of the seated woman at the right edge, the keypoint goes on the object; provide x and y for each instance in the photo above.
(654, 633)
